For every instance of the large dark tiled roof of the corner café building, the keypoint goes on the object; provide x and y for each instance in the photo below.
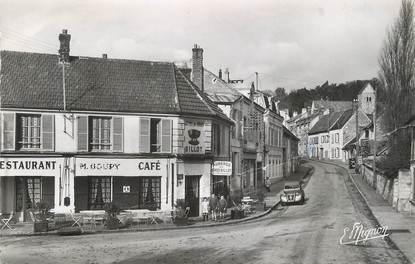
(35, 81)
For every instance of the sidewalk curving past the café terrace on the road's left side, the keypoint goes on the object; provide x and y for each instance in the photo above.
(272, 199)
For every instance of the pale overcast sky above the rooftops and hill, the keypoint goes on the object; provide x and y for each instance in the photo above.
(290, 43)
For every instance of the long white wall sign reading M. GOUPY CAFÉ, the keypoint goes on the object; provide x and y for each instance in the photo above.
(120, 167)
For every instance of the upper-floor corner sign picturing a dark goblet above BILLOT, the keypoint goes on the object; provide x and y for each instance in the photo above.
(194, 137)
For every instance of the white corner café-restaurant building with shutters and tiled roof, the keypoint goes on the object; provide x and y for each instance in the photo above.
(78, 132)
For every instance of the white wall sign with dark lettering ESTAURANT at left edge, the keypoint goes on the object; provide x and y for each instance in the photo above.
(29, 166)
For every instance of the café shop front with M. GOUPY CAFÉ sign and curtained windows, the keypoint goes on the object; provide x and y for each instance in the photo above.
(133, 183)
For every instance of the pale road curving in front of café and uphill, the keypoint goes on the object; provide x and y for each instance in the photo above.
(294, 234)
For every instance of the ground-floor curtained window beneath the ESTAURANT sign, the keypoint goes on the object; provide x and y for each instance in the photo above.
(28, 192)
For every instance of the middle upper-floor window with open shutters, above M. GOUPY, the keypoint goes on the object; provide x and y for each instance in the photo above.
(100, 133)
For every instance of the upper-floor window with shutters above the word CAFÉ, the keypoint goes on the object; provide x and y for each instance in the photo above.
(155, 135)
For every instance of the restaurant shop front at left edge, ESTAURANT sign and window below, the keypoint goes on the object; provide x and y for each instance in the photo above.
(27, 181)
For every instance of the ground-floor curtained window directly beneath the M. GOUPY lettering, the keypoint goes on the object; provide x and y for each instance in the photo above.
(99, 192)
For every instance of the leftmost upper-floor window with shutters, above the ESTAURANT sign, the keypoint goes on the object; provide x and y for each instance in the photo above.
(27, 132)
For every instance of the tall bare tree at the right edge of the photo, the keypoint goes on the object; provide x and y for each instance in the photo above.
(397, 76)
